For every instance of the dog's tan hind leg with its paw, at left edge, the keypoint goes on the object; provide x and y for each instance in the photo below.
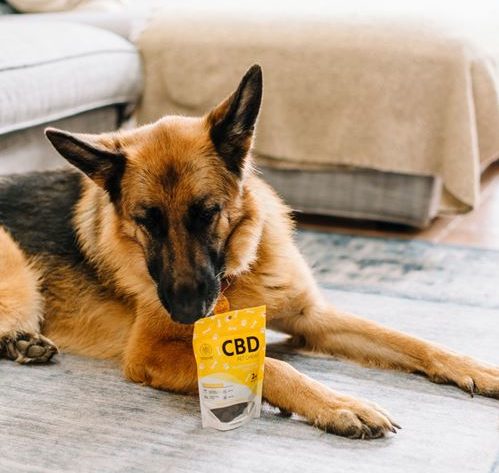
(21, 307)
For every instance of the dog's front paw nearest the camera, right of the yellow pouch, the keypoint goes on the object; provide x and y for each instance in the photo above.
(355, 419)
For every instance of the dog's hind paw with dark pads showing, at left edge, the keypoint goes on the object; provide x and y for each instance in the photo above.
(27, 348)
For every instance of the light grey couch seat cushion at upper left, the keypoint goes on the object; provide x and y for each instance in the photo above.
(53, 70)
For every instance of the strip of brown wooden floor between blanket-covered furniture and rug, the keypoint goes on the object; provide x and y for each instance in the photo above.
(479, 228)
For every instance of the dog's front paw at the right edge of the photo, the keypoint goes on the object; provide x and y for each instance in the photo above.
(470, 375)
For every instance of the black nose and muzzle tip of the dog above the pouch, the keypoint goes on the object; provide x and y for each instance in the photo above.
(187, 303)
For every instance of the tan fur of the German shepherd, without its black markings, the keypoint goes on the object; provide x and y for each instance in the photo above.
(123, 319)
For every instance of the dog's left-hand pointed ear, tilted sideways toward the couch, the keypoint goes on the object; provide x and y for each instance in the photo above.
(99, 156)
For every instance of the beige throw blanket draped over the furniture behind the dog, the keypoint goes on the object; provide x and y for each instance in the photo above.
(394, 92)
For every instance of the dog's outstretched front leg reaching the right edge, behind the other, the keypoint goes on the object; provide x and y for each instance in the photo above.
(326, 329)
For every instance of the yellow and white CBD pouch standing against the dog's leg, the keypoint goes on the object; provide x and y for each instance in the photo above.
(230, 354)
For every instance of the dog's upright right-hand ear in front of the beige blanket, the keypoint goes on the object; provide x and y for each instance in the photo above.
(233, 121)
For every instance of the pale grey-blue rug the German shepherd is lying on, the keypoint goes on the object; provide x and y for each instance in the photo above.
(80, 415)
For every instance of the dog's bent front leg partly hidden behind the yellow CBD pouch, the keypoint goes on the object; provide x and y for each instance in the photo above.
(159, 353)
